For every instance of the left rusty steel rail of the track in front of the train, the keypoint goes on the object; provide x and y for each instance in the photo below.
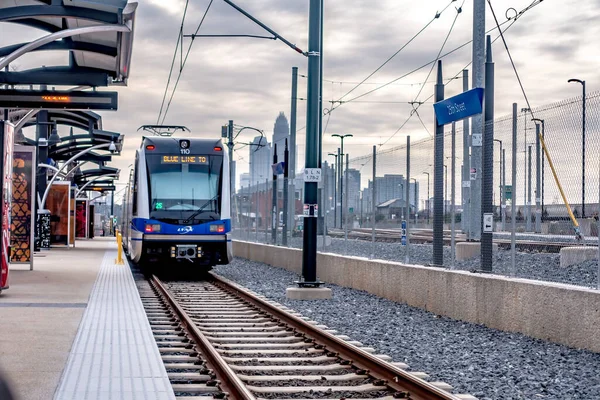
(230, 382)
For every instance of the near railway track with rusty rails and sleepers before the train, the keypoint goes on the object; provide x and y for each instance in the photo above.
(218, 340)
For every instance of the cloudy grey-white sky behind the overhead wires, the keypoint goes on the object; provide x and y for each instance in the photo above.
(249, 80)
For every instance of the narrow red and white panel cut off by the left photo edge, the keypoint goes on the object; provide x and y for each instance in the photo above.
(7, 151)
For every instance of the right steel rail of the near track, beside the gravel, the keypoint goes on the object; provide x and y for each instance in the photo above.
(406, 385)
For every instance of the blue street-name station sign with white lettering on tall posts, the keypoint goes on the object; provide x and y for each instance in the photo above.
(459, 107)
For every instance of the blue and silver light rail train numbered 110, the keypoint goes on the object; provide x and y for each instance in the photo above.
(177, 204)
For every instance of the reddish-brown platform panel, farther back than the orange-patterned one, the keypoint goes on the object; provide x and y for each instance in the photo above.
(58, 204)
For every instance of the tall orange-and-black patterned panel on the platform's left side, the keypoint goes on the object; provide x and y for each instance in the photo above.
(23, 192)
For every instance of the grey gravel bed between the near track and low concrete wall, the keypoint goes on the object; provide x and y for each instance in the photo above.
(486, 363)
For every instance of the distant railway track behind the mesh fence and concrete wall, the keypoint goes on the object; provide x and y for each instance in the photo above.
(424, 236)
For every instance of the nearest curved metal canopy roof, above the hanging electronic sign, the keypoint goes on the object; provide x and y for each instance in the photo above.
(97, 33)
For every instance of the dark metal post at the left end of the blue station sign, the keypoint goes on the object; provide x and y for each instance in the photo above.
(438, 179)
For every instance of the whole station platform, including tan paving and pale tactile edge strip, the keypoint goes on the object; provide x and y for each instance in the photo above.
(46, 309)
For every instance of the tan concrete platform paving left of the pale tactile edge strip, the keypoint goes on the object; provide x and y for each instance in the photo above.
(40, 315)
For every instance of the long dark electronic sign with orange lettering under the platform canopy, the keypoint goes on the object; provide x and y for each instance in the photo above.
(58, 99)
